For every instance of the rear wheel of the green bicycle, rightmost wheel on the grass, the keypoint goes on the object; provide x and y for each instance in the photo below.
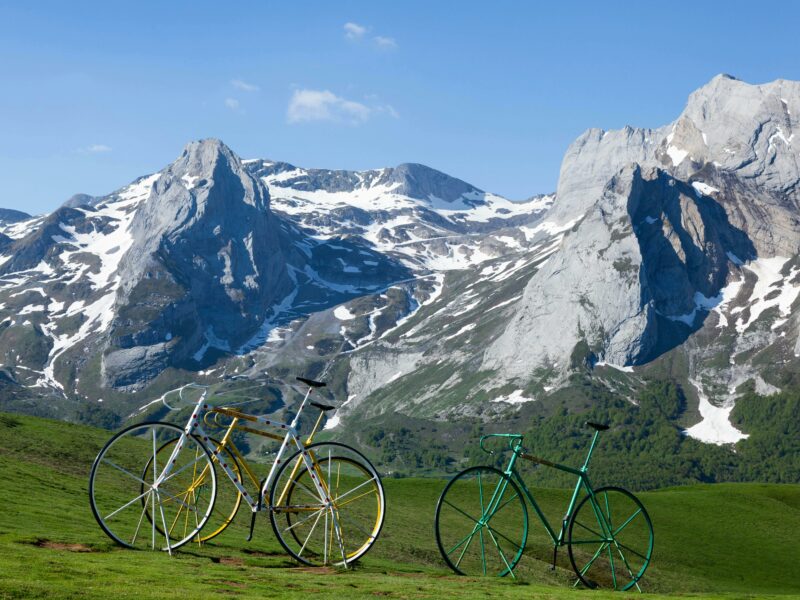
(610, 539)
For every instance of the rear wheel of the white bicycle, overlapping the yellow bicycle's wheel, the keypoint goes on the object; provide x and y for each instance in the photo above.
(332, 514)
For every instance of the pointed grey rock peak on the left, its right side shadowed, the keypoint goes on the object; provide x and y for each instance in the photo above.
(207, 263)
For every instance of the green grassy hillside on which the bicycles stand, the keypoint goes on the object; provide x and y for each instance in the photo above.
(729, 541)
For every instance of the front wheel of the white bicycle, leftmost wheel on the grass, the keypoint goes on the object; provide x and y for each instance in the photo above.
(122, 491)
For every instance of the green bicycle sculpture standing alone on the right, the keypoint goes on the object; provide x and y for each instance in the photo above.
(482, 523)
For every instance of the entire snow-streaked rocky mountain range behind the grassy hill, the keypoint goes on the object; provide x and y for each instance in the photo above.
(654, 289)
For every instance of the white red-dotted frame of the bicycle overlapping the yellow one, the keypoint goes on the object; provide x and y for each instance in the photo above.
(193, 428)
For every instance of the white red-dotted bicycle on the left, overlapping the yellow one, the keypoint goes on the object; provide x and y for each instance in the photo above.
(154, 484)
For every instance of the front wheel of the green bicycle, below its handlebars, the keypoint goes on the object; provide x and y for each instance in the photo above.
(481, 522)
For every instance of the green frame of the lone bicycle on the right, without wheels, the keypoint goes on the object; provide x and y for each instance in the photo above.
(515, 444)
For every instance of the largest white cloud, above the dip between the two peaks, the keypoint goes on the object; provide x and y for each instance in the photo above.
(323, 105)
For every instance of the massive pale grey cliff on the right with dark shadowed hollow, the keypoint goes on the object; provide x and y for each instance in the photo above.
(663, 218)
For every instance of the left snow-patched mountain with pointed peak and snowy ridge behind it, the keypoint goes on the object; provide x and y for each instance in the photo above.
(214, 257)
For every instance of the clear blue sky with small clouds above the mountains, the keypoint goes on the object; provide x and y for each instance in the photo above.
(96, 94)
